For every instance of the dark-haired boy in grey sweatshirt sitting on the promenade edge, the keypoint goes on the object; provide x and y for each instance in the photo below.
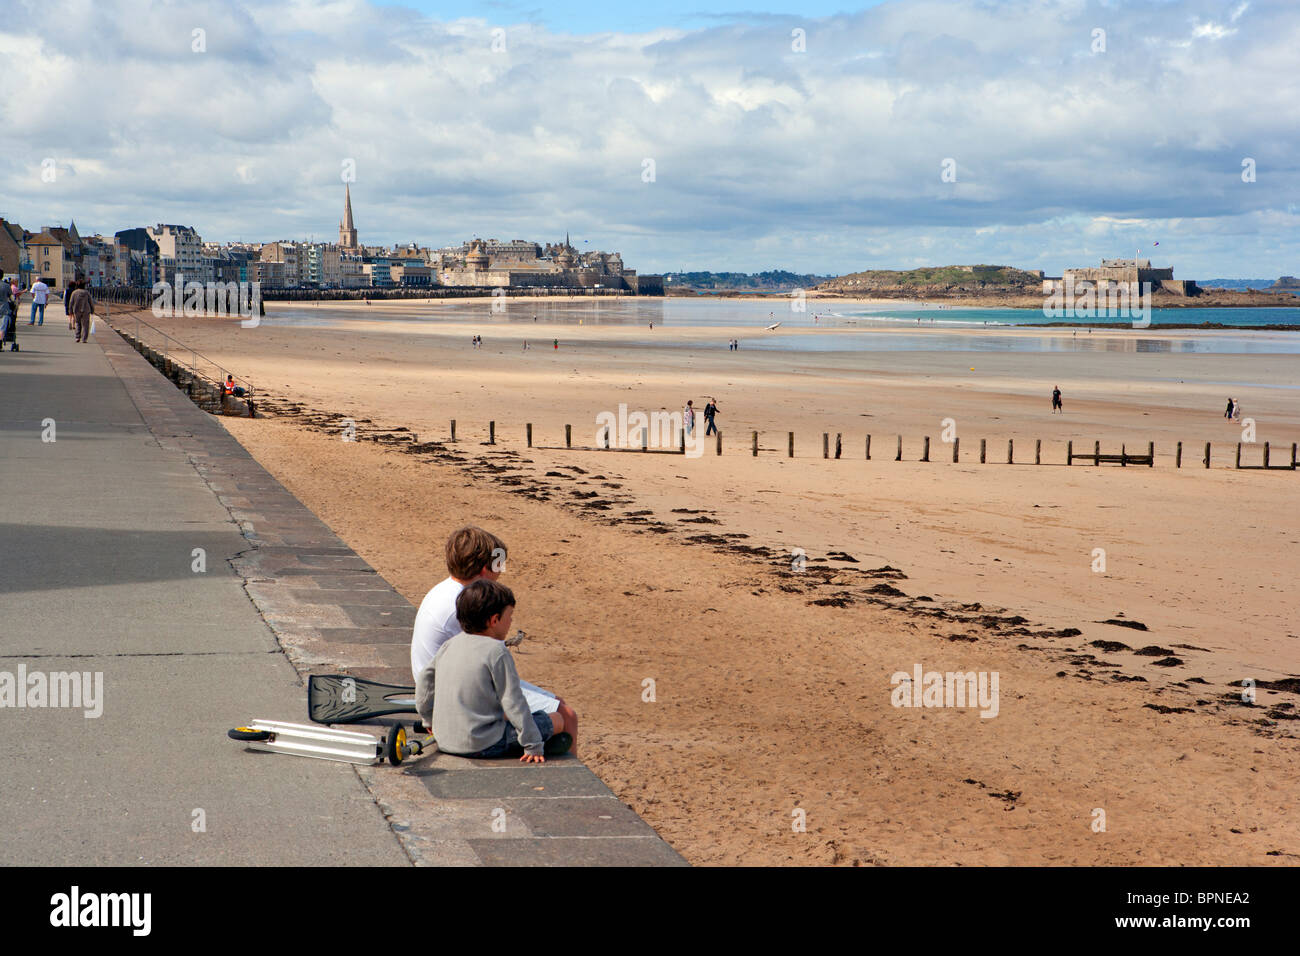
(470, 694)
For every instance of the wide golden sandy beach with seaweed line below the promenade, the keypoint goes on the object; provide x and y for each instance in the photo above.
(773, 684)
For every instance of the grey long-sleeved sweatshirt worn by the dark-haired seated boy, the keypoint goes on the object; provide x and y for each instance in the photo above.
(467, 694)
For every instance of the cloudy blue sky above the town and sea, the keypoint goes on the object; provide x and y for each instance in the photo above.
(808, 136)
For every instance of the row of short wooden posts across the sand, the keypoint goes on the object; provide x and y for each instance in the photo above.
(1097, 457)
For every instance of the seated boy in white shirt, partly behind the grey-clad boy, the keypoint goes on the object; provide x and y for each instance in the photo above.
(471, 555)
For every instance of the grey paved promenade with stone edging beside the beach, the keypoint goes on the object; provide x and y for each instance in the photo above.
(144, 544)
